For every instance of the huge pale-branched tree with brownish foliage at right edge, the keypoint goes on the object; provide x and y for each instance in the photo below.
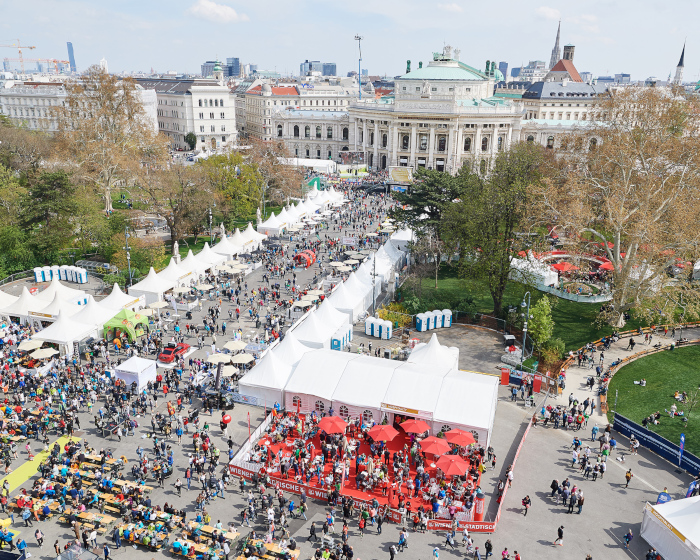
(628, 187)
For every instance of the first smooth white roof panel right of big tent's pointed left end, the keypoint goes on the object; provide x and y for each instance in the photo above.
(319, 372)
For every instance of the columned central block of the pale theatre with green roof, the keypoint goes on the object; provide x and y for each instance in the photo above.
(441, 116)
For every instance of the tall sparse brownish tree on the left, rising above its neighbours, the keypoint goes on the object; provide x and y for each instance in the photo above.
(103, 130)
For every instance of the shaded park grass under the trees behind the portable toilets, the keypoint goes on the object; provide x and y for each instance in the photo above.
(574, 322)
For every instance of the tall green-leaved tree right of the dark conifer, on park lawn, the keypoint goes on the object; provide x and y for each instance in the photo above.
(484, 223)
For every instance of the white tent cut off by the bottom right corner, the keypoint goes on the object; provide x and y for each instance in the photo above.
(673, 528)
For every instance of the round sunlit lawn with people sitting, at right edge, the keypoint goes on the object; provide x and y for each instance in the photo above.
(665, 372)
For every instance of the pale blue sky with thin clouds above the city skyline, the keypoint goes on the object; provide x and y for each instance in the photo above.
(640, 37)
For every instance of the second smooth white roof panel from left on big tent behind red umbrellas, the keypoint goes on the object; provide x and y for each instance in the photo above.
(365, 381)
